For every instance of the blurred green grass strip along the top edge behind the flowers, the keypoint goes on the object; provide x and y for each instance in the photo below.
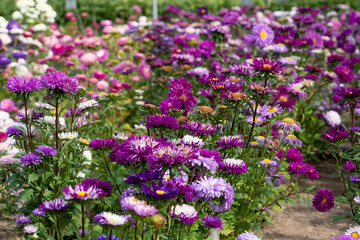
(111, 9)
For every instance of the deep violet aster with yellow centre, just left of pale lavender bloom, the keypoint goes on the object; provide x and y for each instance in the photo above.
(162, 190)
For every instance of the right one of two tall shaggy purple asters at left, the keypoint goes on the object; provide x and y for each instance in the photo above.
(59, 81)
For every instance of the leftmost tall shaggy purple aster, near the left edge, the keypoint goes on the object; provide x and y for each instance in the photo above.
(22, 85)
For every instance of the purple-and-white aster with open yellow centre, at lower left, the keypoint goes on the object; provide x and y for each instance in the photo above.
(82, 192)
